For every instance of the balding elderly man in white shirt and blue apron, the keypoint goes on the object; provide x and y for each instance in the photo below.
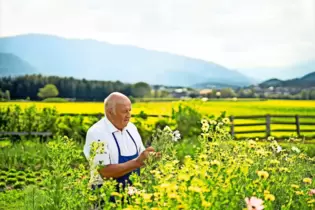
(124, 151)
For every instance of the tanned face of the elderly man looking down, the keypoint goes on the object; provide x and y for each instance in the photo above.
(123, 114)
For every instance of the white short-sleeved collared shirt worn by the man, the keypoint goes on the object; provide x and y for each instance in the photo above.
(102, 131)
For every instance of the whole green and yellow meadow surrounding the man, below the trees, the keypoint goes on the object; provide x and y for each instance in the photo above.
(203, 169)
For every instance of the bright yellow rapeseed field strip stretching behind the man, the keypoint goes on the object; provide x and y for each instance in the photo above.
(212, 107)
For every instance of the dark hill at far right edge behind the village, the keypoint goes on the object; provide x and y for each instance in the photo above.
(302, 82)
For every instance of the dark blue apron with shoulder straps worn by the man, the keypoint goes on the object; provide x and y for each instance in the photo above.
(122, 159)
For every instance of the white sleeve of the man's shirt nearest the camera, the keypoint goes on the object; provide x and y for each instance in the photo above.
(102, 156)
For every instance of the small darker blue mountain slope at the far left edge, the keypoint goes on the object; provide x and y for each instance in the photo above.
(12, 65)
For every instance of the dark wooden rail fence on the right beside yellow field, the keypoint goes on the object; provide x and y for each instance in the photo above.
(268, 122)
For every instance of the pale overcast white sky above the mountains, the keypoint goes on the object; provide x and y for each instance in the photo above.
(242, 35)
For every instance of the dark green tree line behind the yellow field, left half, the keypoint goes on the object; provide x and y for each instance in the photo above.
(31, 87)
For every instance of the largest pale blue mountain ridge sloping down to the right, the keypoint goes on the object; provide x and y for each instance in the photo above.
(90, 59)
